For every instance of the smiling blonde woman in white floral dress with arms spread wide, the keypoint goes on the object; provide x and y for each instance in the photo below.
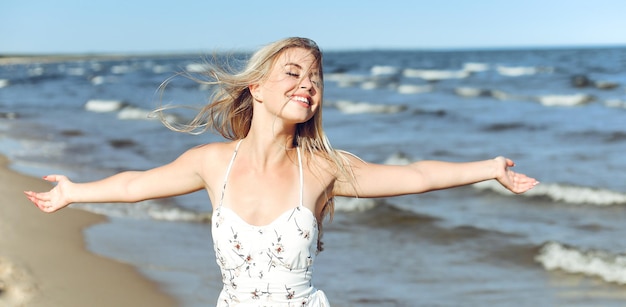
(272, 184)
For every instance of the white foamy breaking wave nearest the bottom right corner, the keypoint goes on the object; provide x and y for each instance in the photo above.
(610, 267)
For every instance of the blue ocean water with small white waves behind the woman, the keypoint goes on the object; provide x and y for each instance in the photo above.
(560, 114)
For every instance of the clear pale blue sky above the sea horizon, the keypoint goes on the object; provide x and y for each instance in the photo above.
(157, 26)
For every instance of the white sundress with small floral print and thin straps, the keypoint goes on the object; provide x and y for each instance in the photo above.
(268, 265)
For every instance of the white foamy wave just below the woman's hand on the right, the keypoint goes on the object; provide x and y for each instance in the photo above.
(566, 193)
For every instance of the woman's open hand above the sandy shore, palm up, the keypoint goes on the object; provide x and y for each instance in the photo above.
(56, 198)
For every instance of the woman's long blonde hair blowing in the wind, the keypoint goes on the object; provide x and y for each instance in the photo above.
(229, 111)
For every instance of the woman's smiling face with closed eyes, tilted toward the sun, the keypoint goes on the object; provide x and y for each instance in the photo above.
(292, 90)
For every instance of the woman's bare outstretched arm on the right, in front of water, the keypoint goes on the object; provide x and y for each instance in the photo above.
(377, 180)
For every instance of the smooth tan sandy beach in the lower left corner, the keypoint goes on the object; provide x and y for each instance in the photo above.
(44, 261)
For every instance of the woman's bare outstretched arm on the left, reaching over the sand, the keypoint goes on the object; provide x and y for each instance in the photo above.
(175, 178)
